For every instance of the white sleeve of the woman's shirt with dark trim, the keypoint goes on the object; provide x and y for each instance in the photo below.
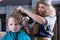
(50, 22)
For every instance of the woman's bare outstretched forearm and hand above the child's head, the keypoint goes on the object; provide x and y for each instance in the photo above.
(35, 17)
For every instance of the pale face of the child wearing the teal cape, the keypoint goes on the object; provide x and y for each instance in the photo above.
(13, 24)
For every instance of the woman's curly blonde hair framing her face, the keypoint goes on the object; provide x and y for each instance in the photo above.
(50, 9)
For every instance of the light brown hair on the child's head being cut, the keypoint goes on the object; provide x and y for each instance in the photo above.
(17, 15)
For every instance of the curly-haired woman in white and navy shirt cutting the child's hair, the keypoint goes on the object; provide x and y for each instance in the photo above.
(45, 15)
